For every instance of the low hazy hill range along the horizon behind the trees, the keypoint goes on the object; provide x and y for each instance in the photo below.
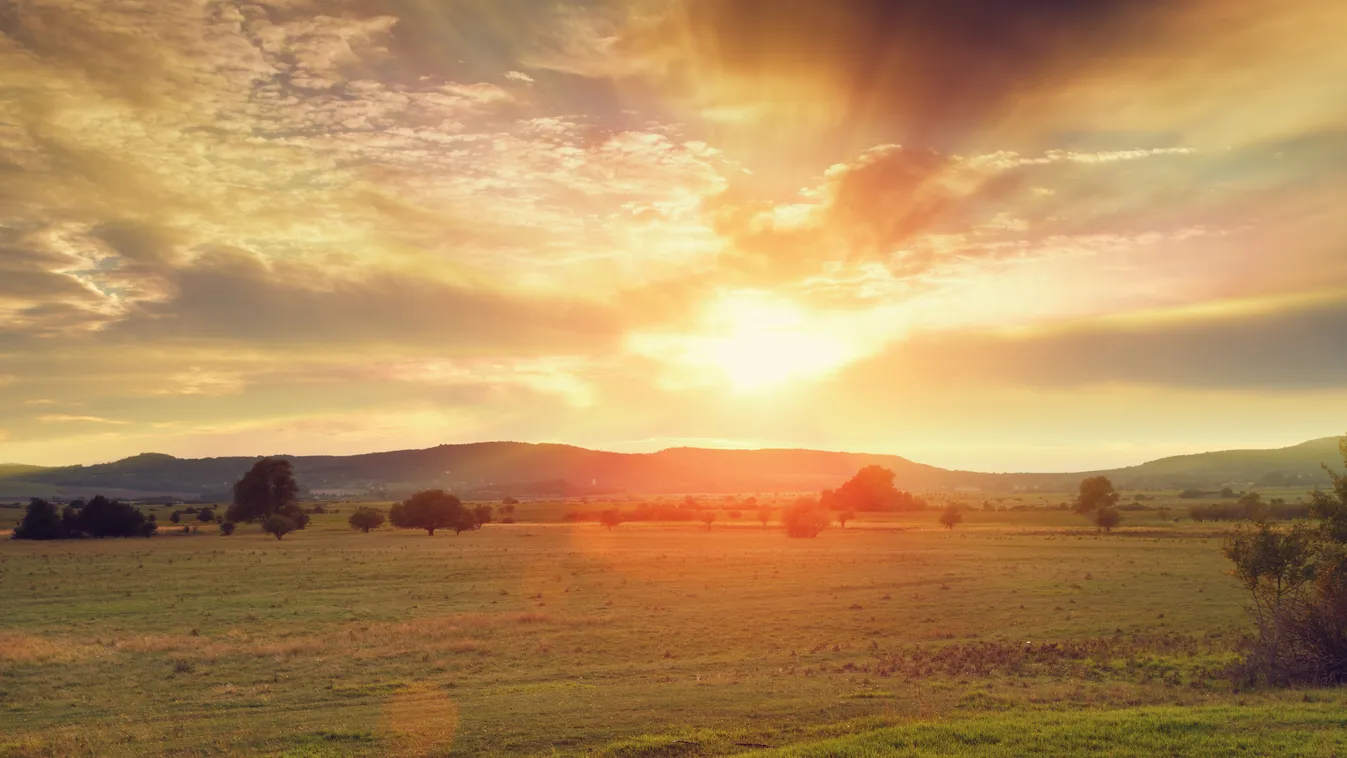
(496, 469)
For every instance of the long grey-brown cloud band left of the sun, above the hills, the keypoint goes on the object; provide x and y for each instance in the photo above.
(232, 296)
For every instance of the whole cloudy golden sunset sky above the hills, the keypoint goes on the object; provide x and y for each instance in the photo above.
(997, 236)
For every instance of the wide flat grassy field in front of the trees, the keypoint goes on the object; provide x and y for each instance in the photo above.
(1018, 633)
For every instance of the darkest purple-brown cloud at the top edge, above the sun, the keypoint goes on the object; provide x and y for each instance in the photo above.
(933, 69)
